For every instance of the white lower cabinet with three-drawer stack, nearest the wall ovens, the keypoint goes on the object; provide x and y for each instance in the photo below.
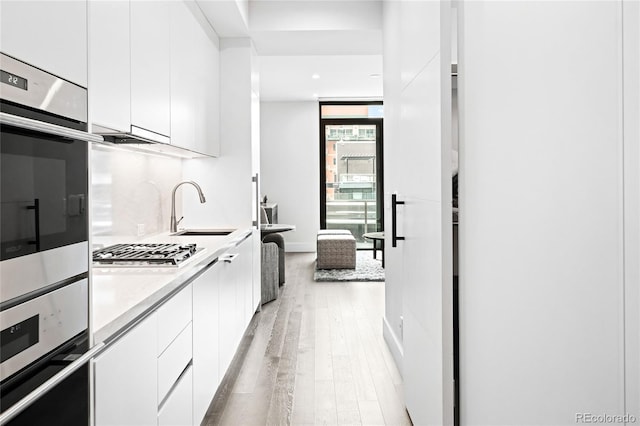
(145, 377)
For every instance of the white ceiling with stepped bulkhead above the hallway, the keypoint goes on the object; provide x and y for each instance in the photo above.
(341, 41)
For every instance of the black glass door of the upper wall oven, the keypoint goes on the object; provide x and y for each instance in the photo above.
(43, 192)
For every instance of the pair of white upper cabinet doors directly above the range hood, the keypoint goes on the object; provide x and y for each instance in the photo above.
(130, 65)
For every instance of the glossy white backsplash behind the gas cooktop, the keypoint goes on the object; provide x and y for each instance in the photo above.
(131, 192)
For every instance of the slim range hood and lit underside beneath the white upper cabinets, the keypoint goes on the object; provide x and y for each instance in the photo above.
(143, 140)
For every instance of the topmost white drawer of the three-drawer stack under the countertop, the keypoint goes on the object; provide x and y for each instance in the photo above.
(173, 317)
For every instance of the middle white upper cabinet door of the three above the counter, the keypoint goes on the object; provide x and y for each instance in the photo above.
(151, 66)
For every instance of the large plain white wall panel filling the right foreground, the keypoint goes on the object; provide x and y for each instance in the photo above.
(541, 212)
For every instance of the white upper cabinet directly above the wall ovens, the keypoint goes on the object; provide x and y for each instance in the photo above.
(48, 35)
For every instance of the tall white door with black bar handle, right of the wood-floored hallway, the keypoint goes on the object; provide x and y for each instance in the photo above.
(420, 265)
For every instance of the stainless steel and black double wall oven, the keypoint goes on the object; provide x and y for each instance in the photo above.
(44, 252)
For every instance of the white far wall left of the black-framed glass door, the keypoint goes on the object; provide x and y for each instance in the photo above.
(290, 167)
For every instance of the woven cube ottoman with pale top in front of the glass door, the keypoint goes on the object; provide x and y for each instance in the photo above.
(336, 251)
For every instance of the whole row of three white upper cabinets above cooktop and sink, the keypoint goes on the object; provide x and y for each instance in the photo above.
(154, 72)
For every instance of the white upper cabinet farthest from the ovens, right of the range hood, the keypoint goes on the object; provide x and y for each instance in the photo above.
(194, 81)
